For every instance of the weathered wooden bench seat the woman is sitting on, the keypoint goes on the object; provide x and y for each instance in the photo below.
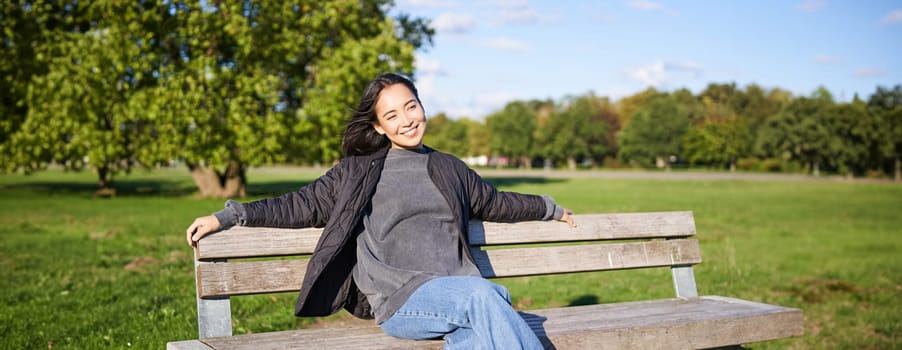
(658, 324)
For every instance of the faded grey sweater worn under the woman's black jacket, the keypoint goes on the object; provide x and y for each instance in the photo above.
(410, 236)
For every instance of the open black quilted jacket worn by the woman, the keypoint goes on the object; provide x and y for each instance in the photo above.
(338, 201)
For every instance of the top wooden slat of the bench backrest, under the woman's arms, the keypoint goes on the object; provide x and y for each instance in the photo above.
(239, 242)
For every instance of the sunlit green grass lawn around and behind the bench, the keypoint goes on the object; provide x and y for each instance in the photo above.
(84, 273)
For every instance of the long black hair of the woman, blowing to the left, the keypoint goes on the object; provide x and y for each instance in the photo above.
(360, 138)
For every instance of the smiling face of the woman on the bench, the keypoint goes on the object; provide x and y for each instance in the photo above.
(400, 117)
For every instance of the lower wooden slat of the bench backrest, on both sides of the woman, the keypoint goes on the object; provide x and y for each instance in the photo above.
(253, 277)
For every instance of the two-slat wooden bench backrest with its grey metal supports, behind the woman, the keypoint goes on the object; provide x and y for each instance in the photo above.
(600, 242)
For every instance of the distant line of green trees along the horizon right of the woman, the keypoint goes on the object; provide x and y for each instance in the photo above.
(723, 127)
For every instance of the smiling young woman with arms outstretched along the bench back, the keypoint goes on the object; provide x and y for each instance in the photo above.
(395, 215)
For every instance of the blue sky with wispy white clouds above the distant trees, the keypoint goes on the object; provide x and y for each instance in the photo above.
(487, 53)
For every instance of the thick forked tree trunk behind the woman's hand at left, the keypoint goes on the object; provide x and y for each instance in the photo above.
(214, 184)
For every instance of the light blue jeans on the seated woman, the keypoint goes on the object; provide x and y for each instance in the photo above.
(469, 312)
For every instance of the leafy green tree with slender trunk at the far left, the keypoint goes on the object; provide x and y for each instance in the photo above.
(86, 68)
